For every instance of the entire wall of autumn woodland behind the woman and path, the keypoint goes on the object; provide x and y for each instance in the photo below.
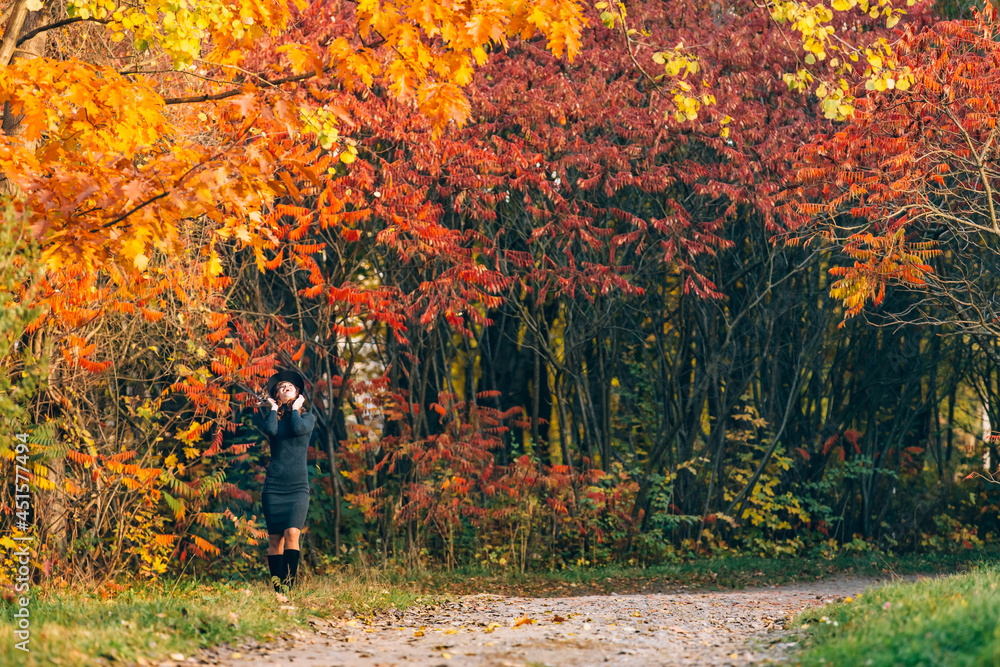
(562, 279)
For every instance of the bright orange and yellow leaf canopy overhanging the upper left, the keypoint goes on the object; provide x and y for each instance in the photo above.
(198, 114)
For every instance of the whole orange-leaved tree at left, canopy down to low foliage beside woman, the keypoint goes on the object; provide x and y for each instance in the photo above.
(137, 137)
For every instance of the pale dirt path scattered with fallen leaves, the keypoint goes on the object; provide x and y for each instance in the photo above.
(680, 628)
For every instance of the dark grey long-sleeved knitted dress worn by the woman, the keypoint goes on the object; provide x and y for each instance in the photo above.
(286, 484)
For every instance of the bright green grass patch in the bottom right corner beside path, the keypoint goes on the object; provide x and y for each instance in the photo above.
(946, 622)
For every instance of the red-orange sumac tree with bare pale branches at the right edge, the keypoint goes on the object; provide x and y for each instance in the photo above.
(907, 188)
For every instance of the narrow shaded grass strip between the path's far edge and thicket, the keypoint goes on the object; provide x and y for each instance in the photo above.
(709, 574)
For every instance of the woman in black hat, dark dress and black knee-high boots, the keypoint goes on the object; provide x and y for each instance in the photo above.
(285, 498)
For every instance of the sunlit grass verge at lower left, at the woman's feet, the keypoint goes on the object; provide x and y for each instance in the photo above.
(75, 627)
